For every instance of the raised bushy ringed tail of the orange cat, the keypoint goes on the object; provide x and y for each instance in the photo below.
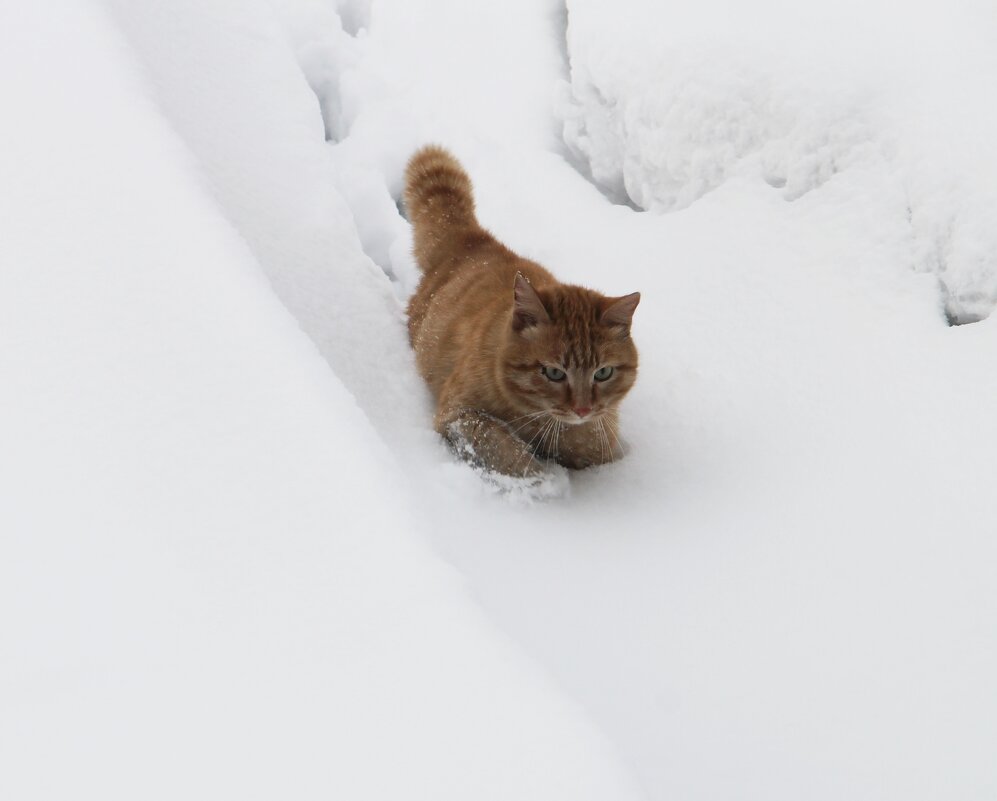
(439, 201)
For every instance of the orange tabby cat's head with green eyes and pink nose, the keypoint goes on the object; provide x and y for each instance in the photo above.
(568, 351)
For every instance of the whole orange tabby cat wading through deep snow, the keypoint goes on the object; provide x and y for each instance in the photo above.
(523, 368)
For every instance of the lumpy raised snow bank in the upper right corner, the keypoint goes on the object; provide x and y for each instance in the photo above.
(795, 96)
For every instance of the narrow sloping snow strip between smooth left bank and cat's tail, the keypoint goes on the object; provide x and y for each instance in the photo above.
(257, 135)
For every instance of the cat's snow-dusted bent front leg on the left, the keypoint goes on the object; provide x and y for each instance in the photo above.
(486, 441)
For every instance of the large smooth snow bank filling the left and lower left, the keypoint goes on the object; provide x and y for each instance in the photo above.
(211, 578)
